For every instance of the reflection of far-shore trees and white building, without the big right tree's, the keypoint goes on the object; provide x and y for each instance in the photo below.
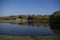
(33, 24)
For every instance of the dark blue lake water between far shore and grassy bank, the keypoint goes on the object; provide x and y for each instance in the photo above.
(25, 29)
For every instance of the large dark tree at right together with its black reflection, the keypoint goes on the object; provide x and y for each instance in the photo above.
(54, 22)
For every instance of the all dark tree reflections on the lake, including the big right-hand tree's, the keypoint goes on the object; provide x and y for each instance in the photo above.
(55, 27)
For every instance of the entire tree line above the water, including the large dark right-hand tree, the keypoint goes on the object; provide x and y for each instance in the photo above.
(35, 18)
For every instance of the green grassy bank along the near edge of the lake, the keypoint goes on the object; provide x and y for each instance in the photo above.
(29, 38)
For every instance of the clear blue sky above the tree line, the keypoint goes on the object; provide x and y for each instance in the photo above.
(40, 7)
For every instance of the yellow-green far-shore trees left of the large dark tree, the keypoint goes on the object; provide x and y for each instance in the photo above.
(34, 18)
